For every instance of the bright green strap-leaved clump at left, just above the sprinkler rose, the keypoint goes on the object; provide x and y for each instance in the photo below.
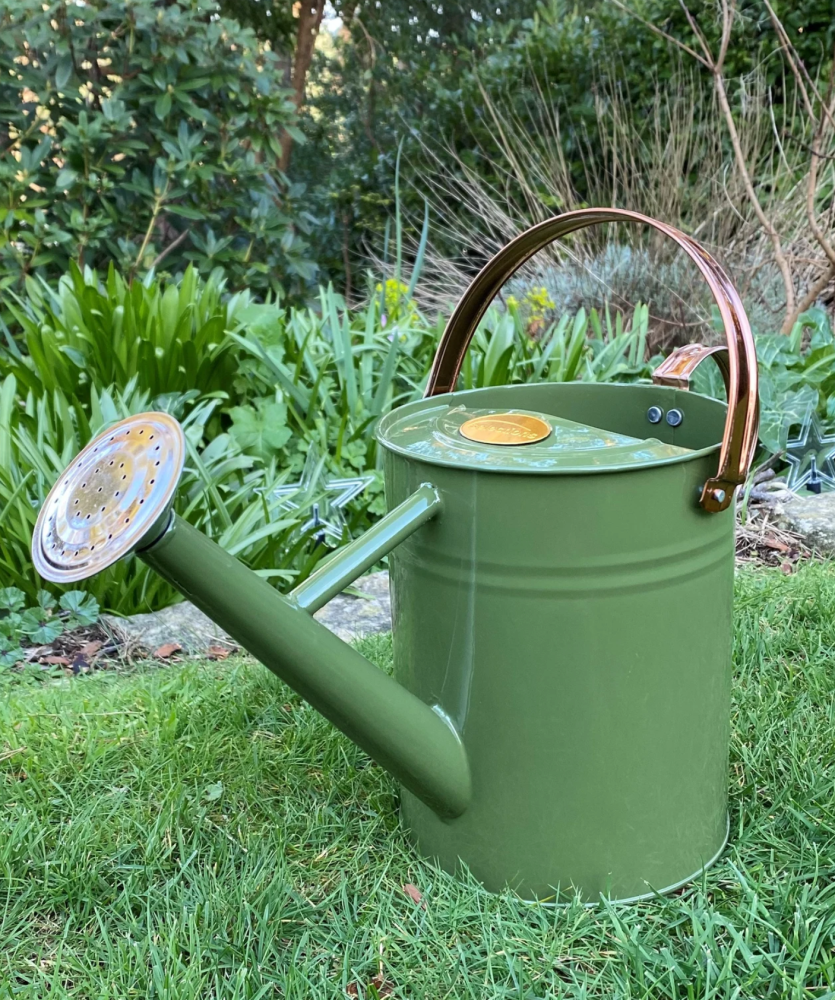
(87, 334)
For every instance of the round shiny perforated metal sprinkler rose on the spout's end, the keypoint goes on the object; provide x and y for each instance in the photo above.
(107, 501)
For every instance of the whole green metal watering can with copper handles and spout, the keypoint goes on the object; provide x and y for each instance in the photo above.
(561, 571)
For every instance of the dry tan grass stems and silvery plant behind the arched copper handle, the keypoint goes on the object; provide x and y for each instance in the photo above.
(681, 169)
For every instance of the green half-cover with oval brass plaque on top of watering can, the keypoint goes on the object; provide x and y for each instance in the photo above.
(518, 441)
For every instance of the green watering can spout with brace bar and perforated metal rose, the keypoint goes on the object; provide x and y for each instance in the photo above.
(87, 523)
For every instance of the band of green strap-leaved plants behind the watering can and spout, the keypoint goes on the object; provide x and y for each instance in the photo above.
(261, 388)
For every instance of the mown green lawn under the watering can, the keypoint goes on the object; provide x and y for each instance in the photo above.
(197, 832)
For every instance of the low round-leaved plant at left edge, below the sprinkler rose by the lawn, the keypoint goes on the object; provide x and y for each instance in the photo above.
(42, 623)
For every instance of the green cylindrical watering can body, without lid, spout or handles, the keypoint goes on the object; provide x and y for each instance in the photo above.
(576, 629)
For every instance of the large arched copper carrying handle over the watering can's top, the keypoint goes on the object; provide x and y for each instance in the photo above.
(740, 437)
